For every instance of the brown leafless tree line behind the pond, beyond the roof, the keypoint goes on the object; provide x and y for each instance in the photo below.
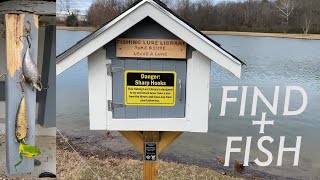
(287, 16)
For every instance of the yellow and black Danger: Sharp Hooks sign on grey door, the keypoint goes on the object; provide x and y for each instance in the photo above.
(149, 88)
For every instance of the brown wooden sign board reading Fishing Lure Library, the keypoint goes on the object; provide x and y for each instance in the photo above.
(151, 48)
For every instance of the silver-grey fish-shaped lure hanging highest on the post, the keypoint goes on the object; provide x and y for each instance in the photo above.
(30, 74)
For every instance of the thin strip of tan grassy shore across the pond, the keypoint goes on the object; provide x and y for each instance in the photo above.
(230, 33)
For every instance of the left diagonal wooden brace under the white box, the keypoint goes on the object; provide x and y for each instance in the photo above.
(135, 137)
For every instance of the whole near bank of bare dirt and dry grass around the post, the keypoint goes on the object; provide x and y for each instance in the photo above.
(109, 156)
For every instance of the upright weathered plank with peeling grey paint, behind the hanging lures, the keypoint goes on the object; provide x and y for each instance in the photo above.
(15, 50)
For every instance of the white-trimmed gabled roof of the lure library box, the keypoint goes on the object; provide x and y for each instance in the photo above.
(160, 13)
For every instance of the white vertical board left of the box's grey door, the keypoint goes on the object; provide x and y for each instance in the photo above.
(97, 90)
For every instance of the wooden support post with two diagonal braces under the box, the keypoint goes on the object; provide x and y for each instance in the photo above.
(137, 138)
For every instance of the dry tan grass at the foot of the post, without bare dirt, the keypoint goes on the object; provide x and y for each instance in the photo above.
(69, 166)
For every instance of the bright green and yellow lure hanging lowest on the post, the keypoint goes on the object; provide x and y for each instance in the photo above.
(28, 151)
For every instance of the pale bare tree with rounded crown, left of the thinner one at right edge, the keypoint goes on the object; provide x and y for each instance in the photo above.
(285, 8)
